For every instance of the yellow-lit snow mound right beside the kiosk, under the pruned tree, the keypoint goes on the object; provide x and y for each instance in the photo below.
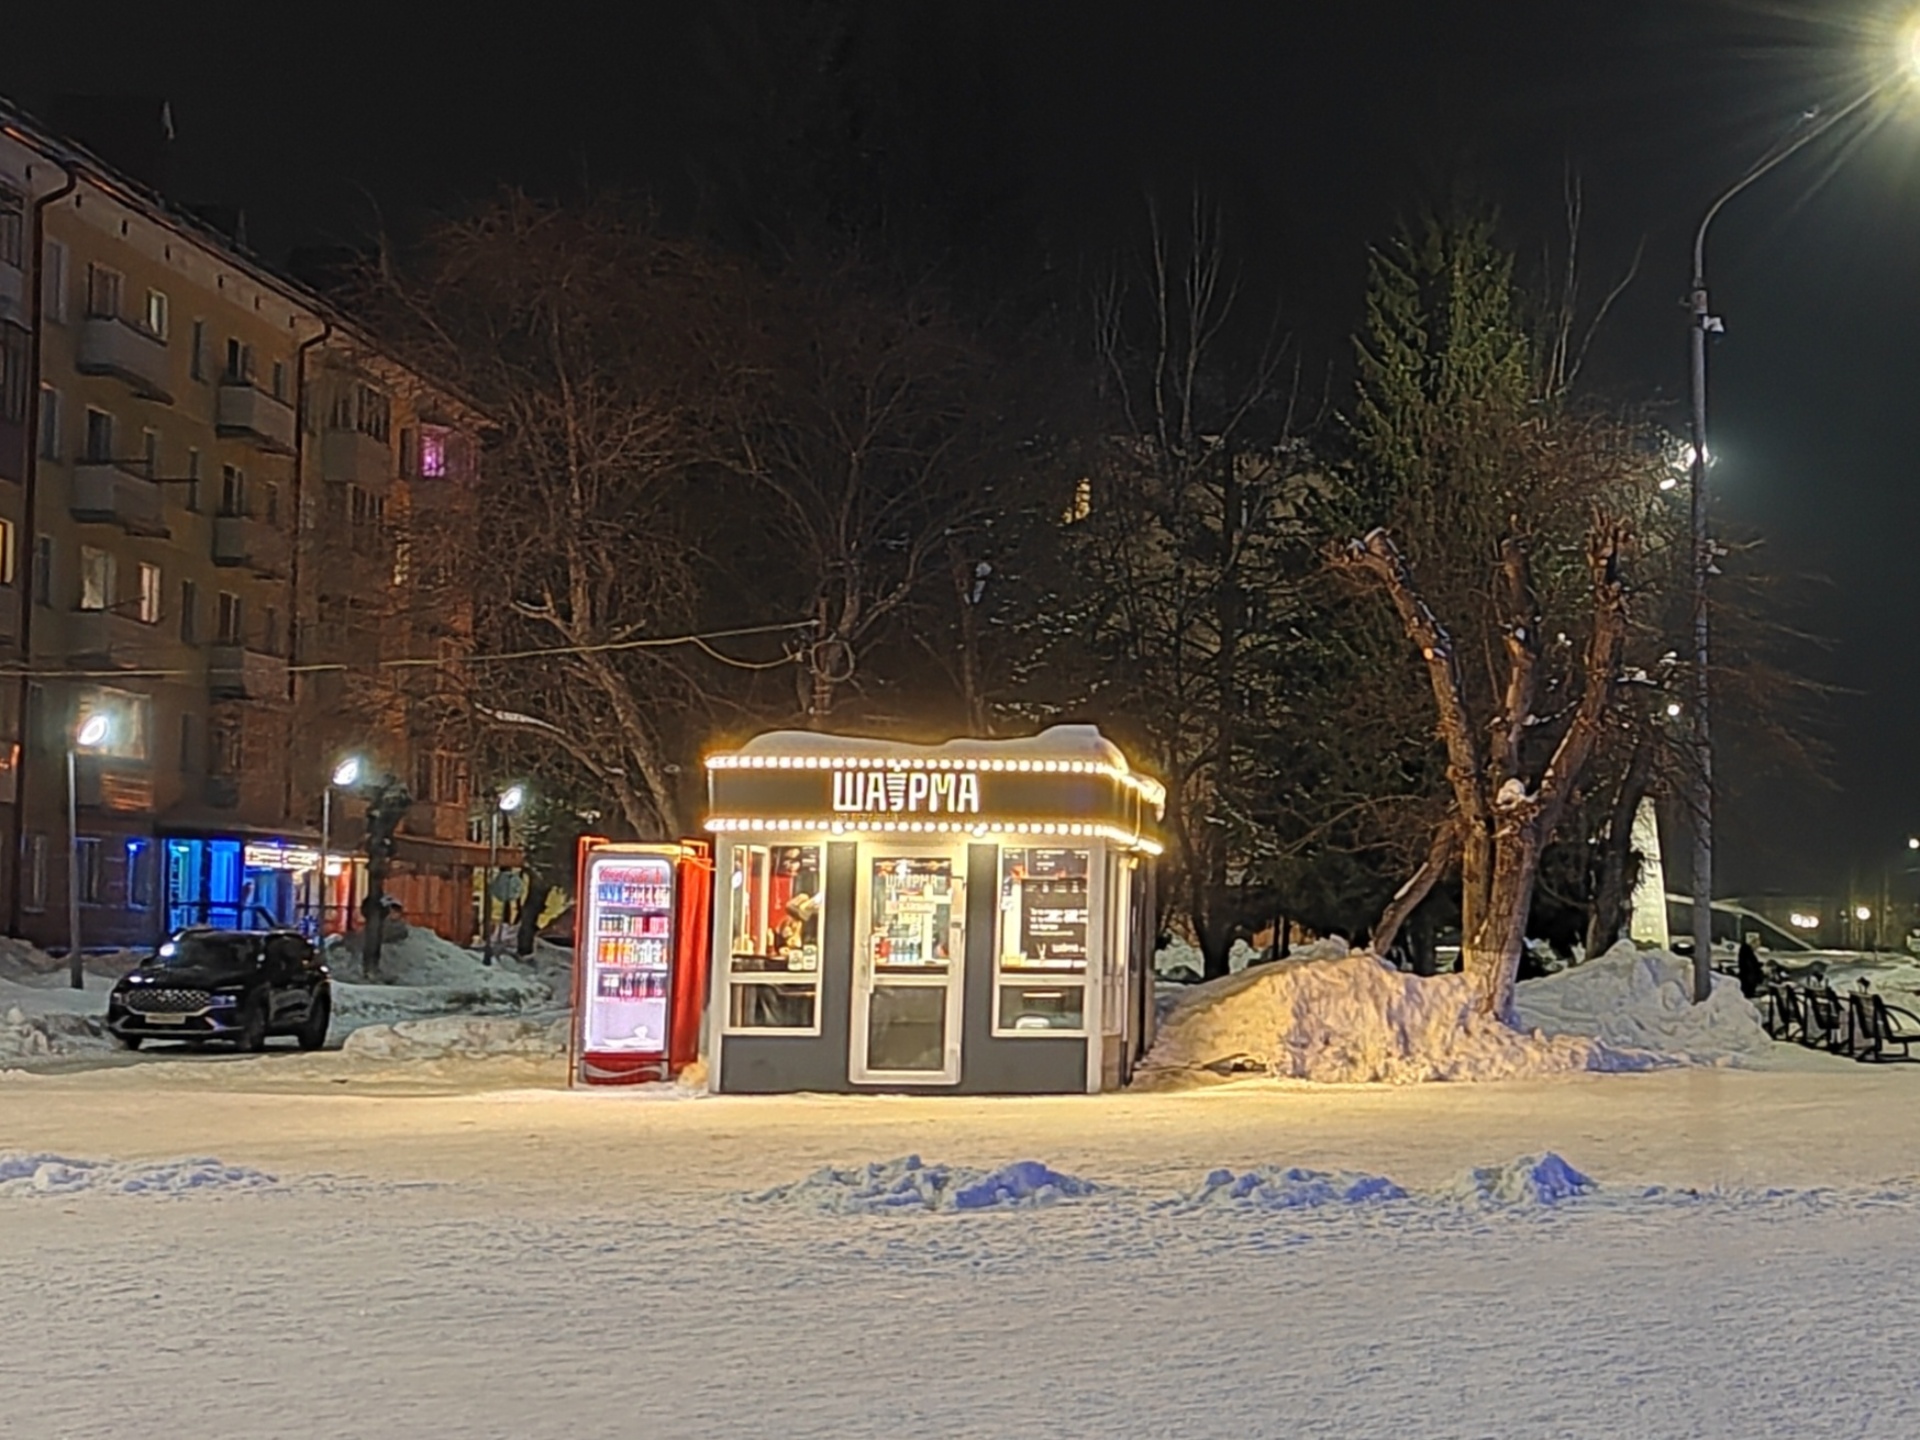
(1358, 1020)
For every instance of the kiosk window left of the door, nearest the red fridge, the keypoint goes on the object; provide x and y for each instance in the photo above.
(775, 951)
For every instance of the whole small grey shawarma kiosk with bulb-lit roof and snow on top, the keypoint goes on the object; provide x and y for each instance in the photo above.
(965, 919)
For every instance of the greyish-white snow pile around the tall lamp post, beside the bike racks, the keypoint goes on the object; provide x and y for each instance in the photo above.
(1644, 1001)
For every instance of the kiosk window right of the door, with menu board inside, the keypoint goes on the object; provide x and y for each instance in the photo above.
(1042, 984)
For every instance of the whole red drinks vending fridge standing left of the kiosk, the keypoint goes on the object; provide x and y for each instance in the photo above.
(640, 961)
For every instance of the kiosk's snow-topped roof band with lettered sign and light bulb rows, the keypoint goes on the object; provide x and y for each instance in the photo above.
(1068, 780)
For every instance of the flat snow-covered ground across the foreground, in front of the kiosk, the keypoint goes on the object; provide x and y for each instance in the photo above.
(581, 1264)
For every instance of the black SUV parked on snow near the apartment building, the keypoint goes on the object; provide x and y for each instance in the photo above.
(235, 986)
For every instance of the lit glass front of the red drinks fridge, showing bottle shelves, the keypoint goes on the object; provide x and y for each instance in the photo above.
(631, 946)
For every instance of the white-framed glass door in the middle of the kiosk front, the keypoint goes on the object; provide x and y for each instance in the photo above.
(909, 967)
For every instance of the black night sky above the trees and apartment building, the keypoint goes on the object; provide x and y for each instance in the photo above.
(1026, 137)
